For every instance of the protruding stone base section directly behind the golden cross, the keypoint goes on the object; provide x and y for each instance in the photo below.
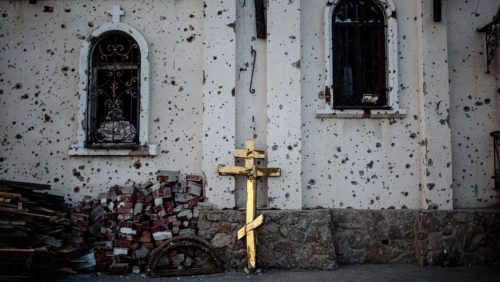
(288, 240)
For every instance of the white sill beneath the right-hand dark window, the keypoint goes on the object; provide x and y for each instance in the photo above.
(352, 113)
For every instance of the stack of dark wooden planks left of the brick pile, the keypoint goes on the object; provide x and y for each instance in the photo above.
(33, 237)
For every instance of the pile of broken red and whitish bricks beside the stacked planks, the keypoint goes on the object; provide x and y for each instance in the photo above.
(127, 223)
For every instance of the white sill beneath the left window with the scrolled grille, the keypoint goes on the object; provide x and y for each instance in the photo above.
(143, 150)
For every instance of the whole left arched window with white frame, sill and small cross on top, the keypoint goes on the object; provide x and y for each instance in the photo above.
(113, 104)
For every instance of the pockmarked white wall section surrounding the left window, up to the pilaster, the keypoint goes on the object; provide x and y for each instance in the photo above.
(39, 117)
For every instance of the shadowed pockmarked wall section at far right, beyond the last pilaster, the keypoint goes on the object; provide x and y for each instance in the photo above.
(474, 111)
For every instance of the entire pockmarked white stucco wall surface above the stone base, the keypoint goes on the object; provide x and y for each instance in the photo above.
(330, 162)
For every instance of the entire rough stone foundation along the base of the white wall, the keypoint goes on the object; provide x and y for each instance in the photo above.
(322, 239)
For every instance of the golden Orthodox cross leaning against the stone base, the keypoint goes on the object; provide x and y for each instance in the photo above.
(251, 172)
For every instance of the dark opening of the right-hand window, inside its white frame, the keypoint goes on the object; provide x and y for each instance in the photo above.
(359, 60)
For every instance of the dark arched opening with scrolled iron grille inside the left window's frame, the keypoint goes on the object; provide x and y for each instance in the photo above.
(113, 92)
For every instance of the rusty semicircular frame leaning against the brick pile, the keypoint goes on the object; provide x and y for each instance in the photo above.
(184, 241)
